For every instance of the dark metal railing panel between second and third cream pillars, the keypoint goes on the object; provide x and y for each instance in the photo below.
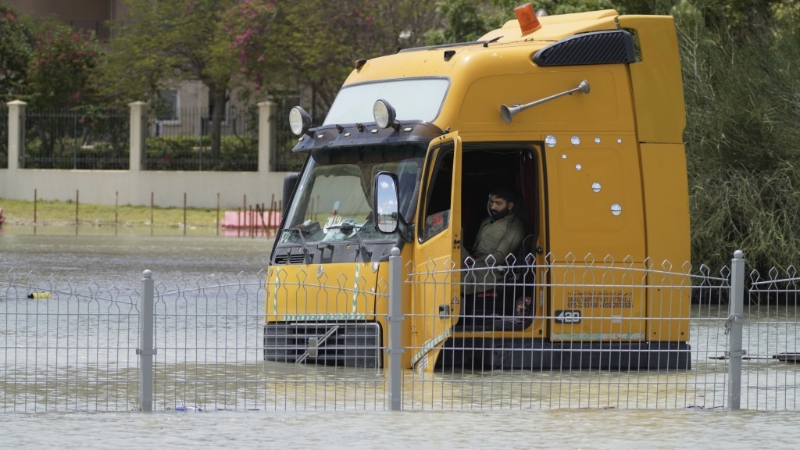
(185, 141)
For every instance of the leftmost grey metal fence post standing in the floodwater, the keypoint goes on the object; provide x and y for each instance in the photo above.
(145, 350)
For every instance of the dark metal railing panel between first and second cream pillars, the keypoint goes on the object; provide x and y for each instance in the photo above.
(79, 138)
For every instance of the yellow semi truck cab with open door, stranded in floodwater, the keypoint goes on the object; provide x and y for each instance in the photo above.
(582, 116)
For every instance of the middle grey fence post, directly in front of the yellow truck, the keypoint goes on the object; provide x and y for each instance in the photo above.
(395, 330)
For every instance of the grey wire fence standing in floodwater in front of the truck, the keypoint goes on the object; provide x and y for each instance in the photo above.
(199, 345)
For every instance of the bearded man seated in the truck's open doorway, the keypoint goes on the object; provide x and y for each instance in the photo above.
(499, 234)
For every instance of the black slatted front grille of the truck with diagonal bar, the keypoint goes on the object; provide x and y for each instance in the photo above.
(350, 344)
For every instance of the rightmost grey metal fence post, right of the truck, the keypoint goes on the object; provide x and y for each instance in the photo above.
(734, 327)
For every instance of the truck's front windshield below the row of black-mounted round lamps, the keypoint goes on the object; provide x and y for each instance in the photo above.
(333, 197)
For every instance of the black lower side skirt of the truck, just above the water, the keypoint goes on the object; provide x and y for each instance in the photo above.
(540, 354)
